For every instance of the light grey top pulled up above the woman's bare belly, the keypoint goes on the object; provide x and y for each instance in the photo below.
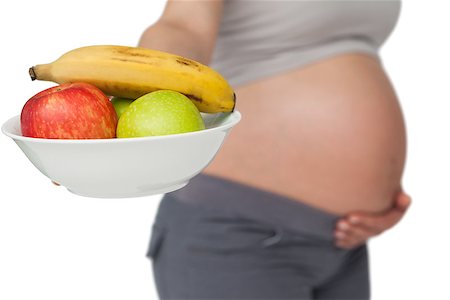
(257, 39)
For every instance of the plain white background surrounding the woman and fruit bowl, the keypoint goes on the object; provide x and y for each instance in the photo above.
(55, 245)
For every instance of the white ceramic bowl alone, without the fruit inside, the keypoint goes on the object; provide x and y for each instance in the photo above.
(125, 167)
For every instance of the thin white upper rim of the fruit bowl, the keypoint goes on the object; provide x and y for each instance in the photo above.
(232, 119)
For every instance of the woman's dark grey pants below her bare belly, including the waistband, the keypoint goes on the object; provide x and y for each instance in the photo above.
(216, 239)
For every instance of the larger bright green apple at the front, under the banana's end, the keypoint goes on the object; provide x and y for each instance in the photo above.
(161, 112)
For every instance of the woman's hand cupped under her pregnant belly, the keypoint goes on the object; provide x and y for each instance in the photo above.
(356, 228)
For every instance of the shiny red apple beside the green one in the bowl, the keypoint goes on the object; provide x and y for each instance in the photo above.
(69, 111)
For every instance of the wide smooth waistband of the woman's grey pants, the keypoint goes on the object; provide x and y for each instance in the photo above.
(218, 193)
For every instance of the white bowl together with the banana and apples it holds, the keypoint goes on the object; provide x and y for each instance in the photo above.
(185, 112)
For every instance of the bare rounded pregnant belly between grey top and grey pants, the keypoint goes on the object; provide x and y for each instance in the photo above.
(330, 135)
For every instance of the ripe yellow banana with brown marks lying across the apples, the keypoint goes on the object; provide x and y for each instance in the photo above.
(131, 72)
